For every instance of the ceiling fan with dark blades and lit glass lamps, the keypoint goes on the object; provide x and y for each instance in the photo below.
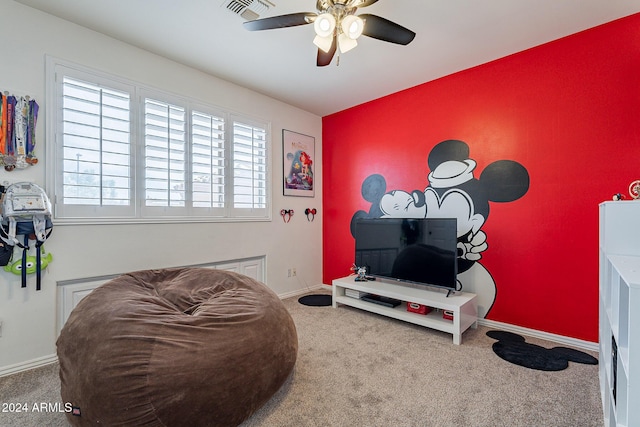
(338, 27)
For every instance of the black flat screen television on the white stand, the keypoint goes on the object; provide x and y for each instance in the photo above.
(413, 251)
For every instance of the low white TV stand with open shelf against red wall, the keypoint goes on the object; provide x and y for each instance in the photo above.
(463, 304)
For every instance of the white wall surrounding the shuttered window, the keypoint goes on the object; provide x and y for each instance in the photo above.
(29, 316)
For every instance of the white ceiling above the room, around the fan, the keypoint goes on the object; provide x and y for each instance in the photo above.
(452, 35)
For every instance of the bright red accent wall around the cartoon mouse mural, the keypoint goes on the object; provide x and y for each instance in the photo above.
(568, 111)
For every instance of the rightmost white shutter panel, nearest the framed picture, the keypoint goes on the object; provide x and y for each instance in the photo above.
(249, 168)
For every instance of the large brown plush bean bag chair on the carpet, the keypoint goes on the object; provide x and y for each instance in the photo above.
(175, 347)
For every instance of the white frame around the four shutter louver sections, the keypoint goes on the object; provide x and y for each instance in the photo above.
(138, 212)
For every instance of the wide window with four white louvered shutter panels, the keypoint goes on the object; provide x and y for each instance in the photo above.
(125, 152)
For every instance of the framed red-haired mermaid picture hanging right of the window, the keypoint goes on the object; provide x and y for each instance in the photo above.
(298, 153)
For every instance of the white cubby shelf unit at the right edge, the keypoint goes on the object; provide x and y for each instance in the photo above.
(619, 326)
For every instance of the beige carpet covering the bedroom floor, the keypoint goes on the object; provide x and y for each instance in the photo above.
(360, 369)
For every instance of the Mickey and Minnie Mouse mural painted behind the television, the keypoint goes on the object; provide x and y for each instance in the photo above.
(453, 191)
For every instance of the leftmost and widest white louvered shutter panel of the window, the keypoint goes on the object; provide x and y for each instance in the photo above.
(94, 134)
